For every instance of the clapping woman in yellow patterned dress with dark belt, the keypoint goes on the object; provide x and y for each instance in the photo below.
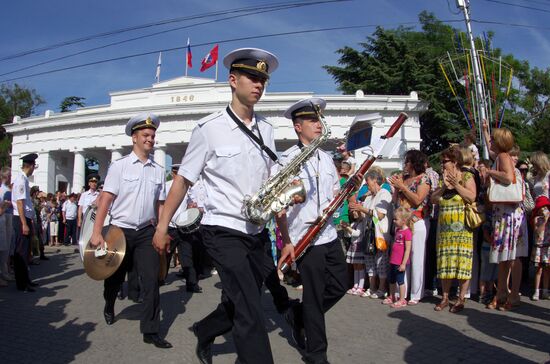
(455, 240)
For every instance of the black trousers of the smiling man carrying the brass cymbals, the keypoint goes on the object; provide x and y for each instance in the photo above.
(141, 257)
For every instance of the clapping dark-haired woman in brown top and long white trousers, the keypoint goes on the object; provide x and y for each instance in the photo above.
(412, 191)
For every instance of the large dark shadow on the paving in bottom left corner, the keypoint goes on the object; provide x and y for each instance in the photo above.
(33, 330)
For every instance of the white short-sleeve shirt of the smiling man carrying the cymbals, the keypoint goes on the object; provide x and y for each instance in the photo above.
(137, 187)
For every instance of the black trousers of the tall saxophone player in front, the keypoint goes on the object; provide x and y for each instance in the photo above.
(239, 259)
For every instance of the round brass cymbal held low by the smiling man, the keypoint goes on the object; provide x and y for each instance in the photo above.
(103, 267)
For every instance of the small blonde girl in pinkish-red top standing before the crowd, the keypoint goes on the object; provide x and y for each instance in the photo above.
(399, 258)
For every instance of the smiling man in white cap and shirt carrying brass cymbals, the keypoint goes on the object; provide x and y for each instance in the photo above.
(135, 190)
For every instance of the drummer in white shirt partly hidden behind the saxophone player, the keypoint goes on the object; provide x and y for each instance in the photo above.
(188, 244)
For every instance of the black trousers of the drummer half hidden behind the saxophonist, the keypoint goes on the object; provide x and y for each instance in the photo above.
(188, 246)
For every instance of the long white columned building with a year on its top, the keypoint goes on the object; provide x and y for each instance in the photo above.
(63, 141)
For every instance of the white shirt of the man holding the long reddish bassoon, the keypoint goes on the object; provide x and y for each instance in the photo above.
(299, 215)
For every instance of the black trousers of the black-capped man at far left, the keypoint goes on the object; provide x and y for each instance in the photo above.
(21, 254)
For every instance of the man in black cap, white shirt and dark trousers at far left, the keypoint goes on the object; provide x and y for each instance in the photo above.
(23, 215)
